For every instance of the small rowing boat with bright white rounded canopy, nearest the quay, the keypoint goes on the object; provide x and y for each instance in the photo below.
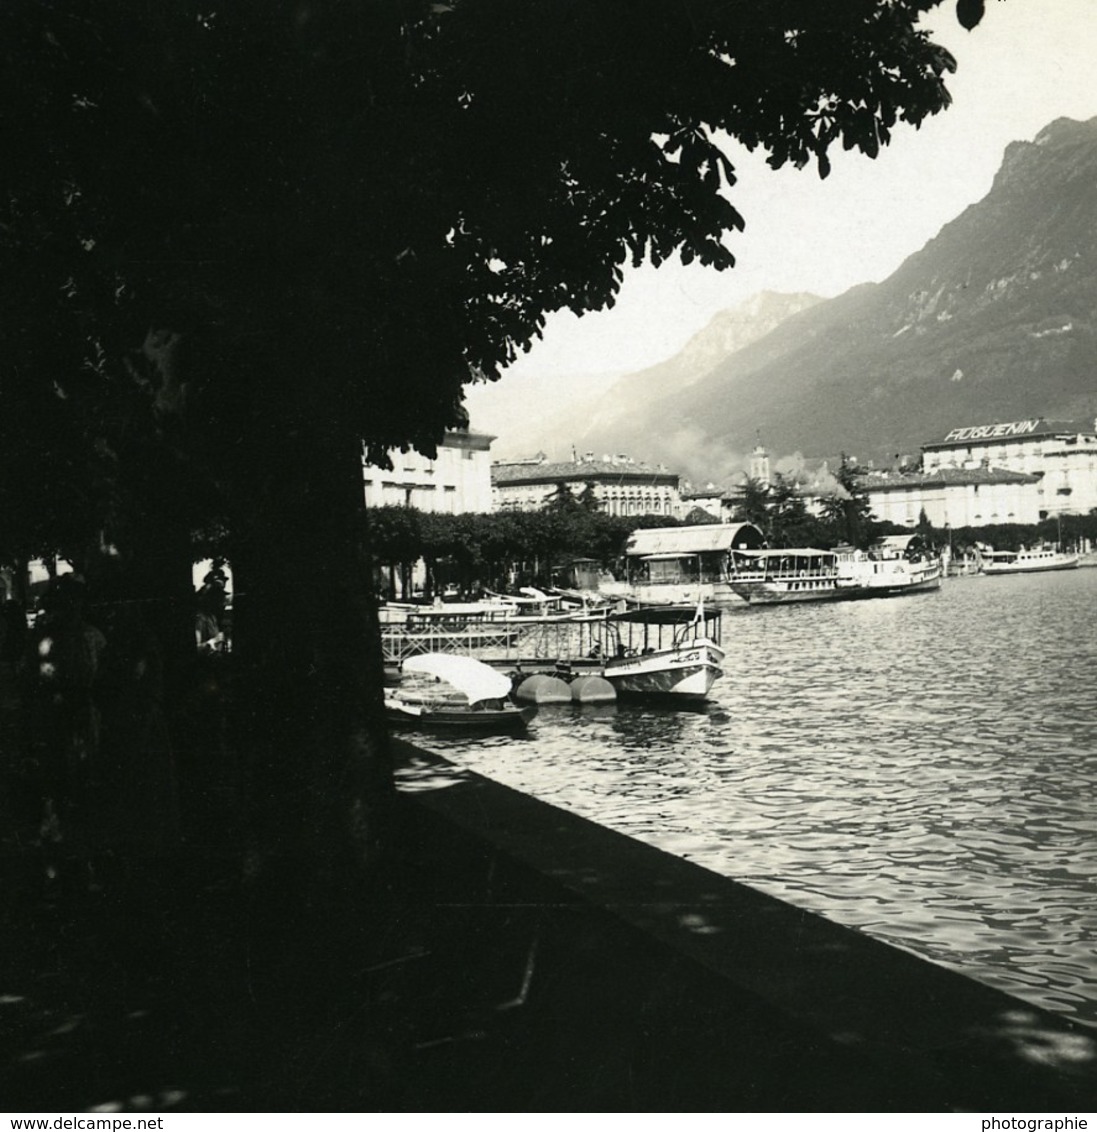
(457, 693)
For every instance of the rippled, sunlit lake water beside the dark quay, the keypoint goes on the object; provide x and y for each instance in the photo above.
(921, 768)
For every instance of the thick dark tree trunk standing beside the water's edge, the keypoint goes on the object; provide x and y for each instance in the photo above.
(310, 721)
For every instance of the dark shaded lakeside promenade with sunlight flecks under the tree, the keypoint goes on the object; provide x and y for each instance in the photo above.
(510, 958)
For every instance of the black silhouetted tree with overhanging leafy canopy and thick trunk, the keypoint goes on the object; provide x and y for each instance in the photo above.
(241, 239)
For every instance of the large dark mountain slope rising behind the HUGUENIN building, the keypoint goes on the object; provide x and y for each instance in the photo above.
(993, 320)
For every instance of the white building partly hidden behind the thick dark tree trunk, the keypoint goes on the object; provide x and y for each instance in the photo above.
(459, 479)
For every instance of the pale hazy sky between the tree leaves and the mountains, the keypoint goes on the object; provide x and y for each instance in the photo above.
(1030, 63)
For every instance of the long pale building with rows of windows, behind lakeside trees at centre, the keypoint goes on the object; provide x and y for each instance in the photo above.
(621, 485)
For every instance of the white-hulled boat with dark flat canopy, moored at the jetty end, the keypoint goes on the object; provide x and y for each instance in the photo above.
(658, 651)
